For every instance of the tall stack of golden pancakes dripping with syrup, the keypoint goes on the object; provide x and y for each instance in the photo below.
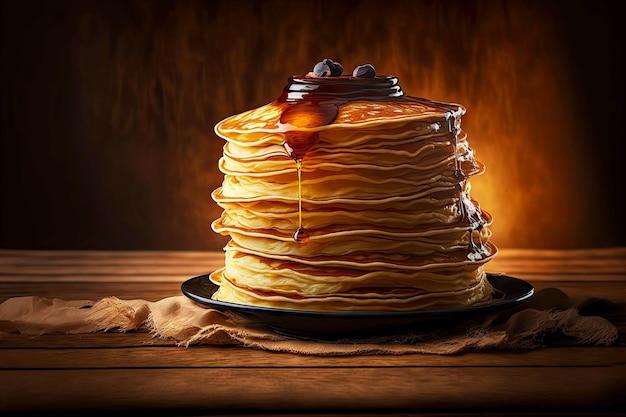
(382, 198)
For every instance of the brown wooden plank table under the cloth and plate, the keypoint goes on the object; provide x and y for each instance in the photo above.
(133, 371)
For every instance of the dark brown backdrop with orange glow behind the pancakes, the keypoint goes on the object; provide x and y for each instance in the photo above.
(108, 108)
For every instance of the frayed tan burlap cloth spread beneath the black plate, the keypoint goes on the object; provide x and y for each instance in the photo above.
(549, 317)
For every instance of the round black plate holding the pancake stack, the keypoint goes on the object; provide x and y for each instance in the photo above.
(336, 325)
